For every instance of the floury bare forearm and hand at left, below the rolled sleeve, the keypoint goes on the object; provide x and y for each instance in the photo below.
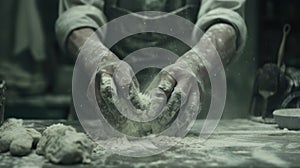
(112, 82)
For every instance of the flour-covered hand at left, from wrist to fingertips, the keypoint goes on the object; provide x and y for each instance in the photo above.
(116, 88)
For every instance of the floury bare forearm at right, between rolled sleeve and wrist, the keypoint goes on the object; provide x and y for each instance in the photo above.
(219, 41)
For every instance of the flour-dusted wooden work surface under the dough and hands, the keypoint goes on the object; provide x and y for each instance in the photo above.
(240, 143)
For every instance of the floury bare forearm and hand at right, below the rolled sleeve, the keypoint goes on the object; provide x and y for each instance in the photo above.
(175, 88)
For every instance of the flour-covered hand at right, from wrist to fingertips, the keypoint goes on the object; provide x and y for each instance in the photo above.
(174, 90)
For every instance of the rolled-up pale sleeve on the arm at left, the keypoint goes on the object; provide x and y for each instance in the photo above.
(74, 14)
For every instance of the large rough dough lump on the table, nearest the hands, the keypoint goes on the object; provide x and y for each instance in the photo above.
(61, 144)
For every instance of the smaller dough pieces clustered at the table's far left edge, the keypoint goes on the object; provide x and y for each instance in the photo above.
(17, 139)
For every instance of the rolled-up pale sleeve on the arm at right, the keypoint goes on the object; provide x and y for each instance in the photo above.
(224, 11)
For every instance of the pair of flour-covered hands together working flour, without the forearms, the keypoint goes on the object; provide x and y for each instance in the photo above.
(176, 85)
